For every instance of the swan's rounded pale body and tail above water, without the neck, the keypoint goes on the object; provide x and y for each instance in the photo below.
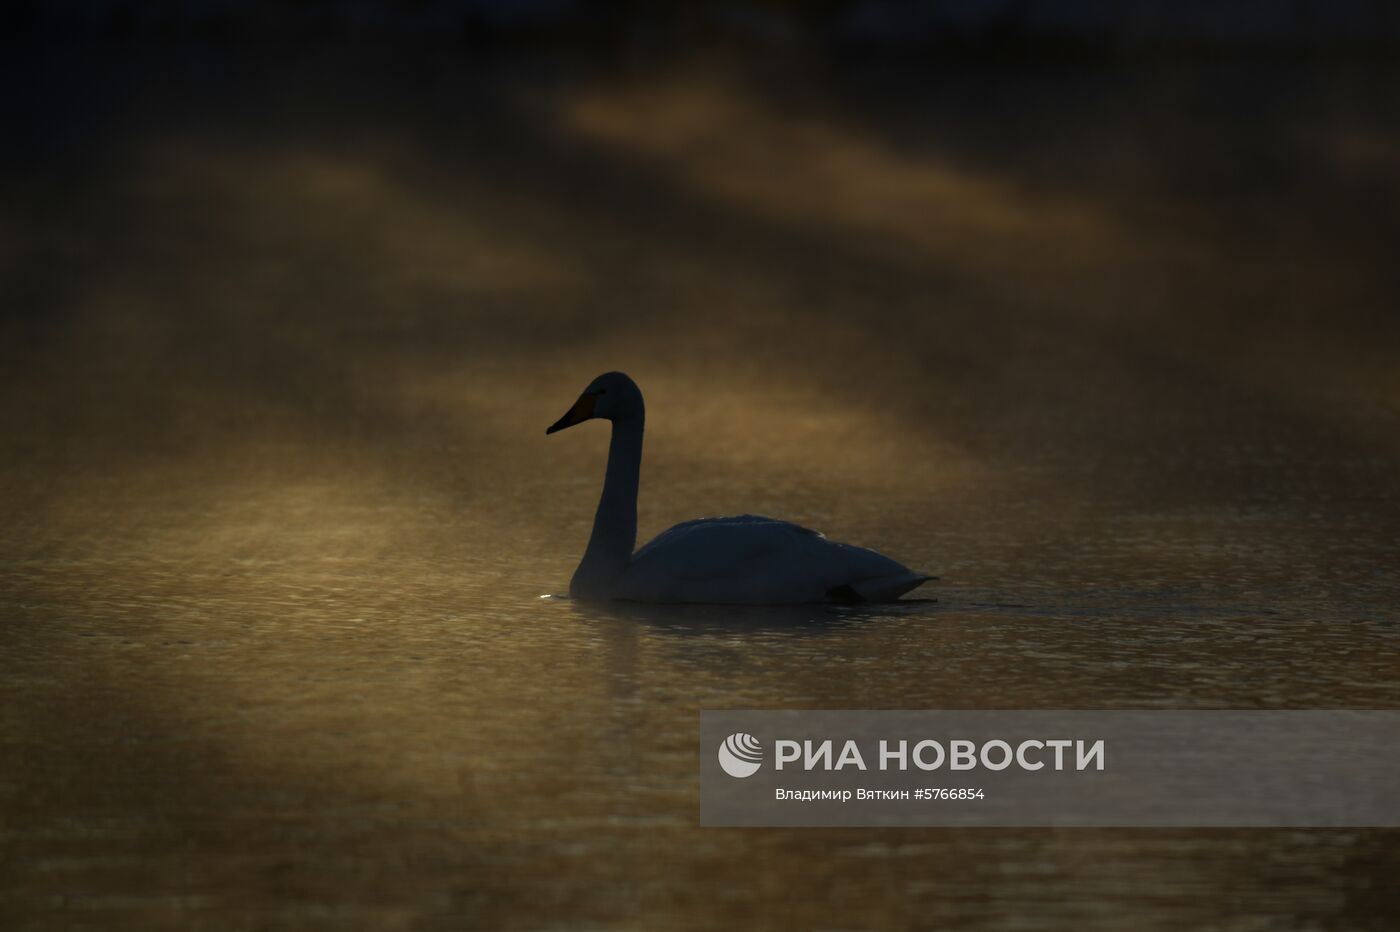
(751, 559)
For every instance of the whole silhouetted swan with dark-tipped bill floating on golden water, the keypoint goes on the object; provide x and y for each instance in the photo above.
(738, 560)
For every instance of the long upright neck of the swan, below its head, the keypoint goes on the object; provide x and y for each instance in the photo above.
(615, 525)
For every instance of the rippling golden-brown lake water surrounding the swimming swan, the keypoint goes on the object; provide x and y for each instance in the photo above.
(281, 507)
